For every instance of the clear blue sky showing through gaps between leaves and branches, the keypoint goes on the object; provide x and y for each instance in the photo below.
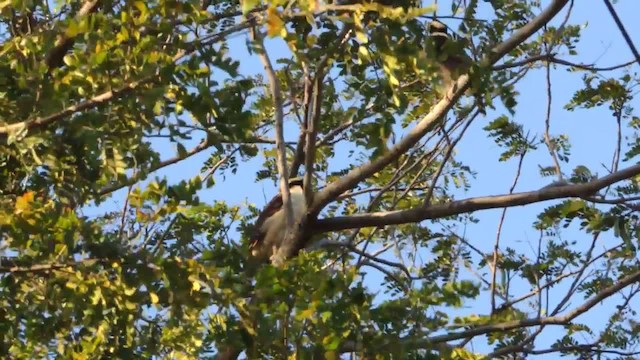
(591, 133)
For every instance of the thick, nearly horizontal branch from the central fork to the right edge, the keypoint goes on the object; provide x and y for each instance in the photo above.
(472, 204)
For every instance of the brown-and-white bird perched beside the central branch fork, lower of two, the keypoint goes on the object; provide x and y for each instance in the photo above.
(270, 228)
